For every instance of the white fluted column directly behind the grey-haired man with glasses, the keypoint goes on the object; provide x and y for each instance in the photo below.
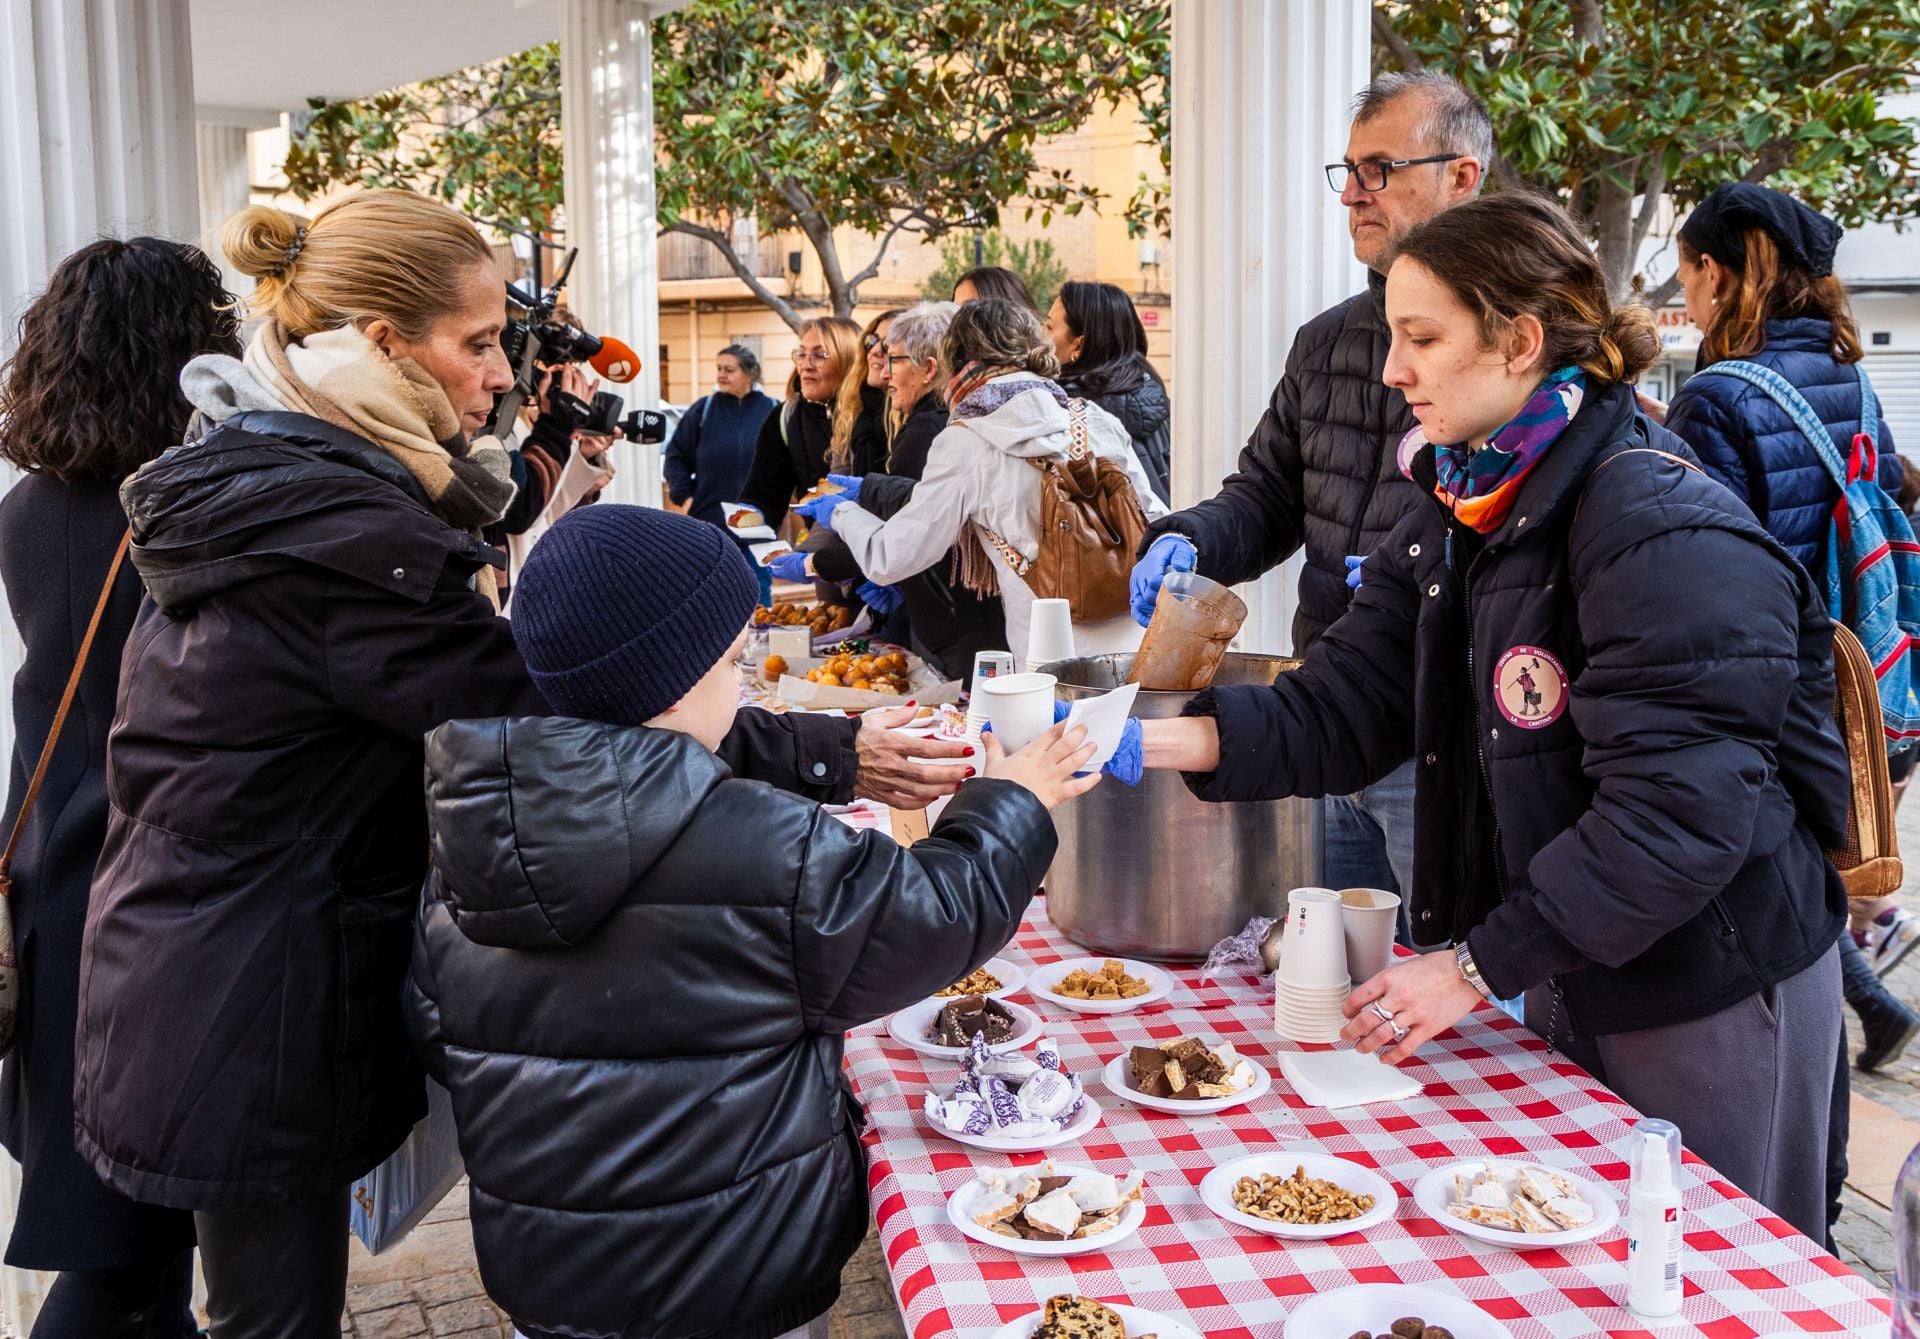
(1260, 105)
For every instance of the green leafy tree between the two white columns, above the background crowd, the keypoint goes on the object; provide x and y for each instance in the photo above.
(888, 118)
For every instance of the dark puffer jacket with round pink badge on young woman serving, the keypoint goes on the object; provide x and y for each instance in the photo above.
(1639, 812)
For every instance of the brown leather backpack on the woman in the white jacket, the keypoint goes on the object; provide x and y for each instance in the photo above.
(1092, 523)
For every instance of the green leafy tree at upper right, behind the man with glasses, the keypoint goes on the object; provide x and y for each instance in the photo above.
(1631, 109)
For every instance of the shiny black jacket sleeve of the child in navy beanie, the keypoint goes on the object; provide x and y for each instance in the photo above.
(880, 927)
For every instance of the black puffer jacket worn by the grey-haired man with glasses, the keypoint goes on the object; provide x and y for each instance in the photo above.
(1318, 470)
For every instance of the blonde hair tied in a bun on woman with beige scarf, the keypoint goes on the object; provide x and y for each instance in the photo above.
(385, 255)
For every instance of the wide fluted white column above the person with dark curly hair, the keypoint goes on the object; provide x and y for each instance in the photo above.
(97, 134)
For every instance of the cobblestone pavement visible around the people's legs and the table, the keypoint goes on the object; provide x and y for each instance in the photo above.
(429, 1286)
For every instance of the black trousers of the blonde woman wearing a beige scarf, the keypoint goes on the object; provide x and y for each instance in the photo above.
(277, 1273)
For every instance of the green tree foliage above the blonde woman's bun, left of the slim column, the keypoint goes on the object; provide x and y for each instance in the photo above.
(483, 139)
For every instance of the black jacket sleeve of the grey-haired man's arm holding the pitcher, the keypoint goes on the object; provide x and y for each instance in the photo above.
(1259, 516)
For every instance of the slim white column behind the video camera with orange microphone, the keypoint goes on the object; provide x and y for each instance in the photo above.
(608, 126)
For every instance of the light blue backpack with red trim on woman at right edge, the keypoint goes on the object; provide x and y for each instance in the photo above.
(1873, 564)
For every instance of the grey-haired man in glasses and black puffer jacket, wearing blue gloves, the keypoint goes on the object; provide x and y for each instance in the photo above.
(1320, 468)
